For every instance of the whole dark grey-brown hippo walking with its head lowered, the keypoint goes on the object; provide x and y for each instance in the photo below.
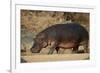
(70, 35)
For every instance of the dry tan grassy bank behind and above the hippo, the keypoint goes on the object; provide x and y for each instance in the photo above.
(38, 20)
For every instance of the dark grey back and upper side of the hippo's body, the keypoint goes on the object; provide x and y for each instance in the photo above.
(68, 31)
